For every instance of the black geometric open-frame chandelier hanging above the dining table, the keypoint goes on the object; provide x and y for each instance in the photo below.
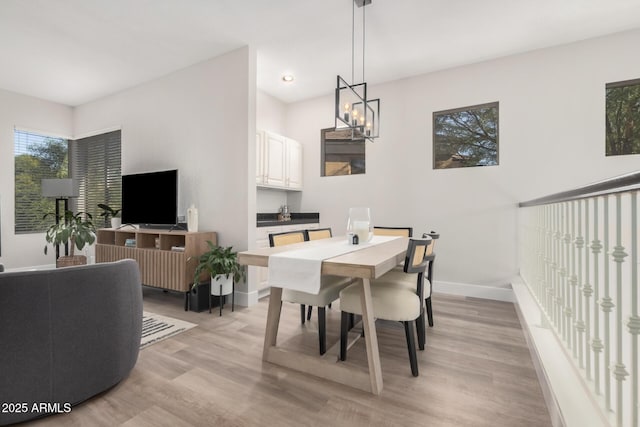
(354, 110)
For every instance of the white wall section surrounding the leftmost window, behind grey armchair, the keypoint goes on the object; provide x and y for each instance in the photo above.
(36, 115)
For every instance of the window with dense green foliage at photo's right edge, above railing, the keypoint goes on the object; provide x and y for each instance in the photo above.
(622, 118)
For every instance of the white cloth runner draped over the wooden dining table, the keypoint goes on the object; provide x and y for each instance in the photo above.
(300, 269)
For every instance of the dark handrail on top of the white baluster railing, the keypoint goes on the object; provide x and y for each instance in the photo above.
(613, 185)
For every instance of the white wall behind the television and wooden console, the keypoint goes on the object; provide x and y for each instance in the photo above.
(200, 120)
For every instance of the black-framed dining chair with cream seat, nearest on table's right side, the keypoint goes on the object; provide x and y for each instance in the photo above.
(393, 300)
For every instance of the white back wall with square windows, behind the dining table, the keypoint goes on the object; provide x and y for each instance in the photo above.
(551, 139)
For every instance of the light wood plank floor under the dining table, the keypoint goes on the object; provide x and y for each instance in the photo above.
(475, 371)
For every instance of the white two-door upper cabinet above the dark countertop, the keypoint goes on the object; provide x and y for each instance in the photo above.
(278, 161)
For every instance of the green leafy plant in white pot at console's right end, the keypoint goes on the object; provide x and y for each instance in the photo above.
(221, 264)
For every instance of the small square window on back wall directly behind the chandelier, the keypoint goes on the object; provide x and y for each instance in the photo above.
(340, 154)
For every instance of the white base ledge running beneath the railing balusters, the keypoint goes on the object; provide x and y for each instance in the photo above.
(567, 397)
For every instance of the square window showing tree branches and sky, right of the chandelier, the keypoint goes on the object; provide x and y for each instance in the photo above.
(466, 137)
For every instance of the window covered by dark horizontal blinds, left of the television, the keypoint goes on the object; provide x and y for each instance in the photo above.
(95, 162)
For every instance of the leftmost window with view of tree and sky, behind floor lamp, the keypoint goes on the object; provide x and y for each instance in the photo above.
(36, 157)
